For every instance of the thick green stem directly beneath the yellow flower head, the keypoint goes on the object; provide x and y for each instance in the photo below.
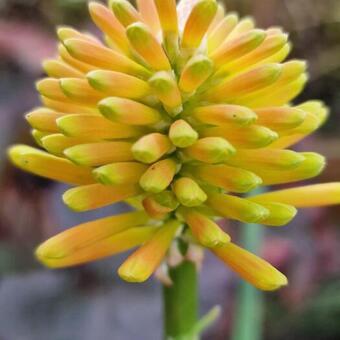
(181, 301)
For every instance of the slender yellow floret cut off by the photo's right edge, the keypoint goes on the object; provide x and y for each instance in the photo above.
(315, 195)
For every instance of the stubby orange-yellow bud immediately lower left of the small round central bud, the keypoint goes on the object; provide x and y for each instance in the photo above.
(152, 147)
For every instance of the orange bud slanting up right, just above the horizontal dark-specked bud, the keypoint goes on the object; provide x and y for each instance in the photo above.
(245, 83)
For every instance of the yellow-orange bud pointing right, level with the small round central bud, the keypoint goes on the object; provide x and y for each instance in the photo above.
(249, 137)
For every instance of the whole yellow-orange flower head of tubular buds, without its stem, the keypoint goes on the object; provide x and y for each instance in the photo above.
(177, 120)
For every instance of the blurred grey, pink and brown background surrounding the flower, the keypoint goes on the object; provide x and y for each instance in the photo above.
(90, 302)
